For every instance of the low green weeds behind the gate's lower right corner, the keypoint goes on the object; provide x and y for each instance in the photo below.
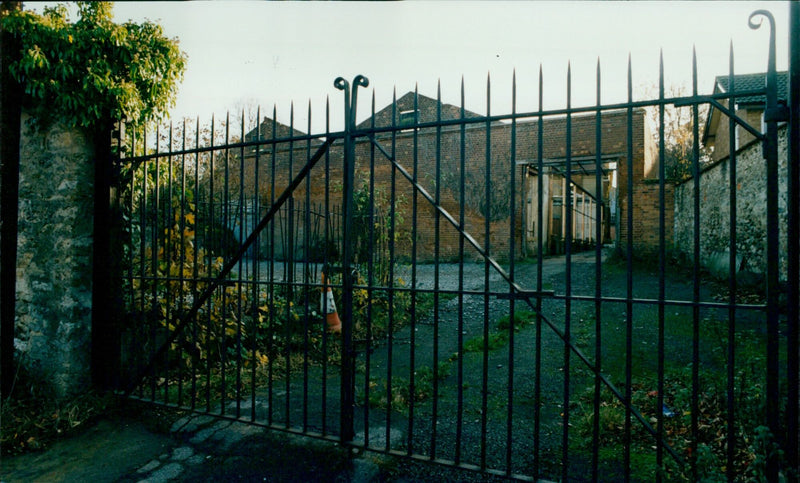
(753, 441)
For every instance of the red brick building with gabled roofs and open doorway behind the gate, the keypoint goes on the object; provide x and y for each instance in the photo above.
(497, 192)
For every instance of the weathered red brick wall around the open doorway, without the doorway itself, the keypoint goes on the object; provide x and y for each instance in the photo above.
(422, 151)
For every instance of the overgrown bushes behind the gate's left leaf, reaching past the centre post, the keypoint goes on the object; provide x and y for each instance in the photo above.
(248, 329)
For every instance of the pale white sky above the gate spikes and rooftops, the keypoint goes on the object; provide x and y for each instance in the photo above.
(273, 53)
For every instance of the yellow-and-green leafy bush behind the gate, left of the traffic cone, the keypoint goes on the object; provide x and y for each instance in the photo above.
(234, 331)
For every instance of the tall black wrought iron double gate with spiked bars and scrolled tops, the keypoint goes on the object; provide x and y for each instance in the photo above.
(466, 338)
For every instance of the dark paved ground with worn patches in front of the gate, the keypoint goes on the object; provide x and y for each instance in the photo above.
(141, 448)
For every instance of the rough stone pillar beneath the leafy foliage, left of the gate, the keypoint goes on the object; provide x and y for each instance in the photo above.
(54, 261)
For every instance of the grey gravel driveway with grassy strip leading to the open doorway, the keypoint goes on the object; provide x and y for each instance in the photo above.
(491, 410)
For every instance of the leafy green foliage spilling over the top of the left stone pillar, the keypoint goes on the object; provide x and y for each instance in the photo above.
(84, 71)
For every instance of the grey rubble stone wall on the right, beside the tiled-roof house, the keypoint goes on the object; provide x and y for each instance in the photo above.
(751, 211)
